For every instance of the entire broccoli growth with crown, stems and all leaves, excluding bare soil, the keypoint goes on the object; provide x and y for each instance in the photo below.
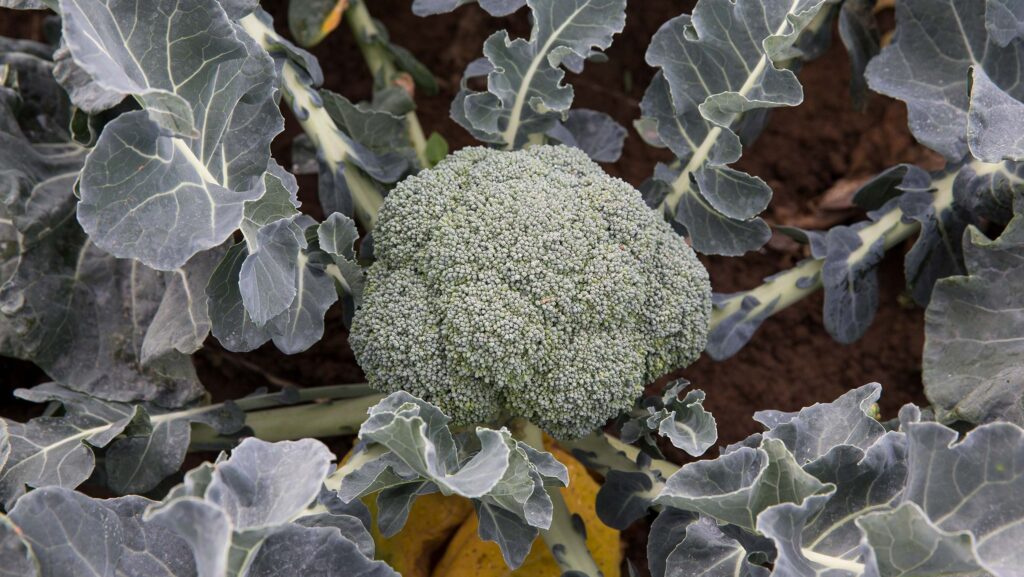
(510, 305)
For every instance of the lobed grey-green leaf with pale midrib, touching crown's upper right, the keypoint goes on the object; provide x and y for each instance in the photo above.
(715, 66)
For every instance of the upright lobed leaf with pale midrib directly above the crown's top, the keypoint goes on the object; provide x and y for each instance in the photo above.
(526, 94)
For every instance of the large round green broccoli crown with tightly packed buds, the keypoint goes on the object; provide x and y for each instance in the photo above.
(527, 284)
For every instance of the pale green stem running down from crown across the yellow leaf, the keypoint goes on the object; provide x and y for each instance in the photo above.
(567, 538)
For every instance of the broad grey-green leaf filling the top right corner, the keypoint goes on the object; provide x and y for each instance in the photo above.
(929, 66)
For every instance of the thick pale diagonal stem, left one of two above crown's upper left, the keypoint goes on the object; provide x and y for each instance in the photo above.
(309, 109)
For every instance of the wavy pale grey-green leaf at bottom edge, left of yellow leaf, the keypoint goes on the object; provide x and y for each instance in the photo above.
(247, 515)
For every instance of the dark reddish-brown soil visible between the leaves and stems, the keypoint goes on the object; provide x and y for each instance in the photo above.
(814, 156)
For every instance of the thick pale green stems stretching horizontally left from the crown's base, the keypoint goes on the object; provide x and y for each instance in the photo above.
(320, 413)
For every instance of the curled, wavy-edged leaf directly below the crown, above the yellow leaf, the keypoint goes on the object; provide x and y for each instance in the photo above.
(505, 478)
